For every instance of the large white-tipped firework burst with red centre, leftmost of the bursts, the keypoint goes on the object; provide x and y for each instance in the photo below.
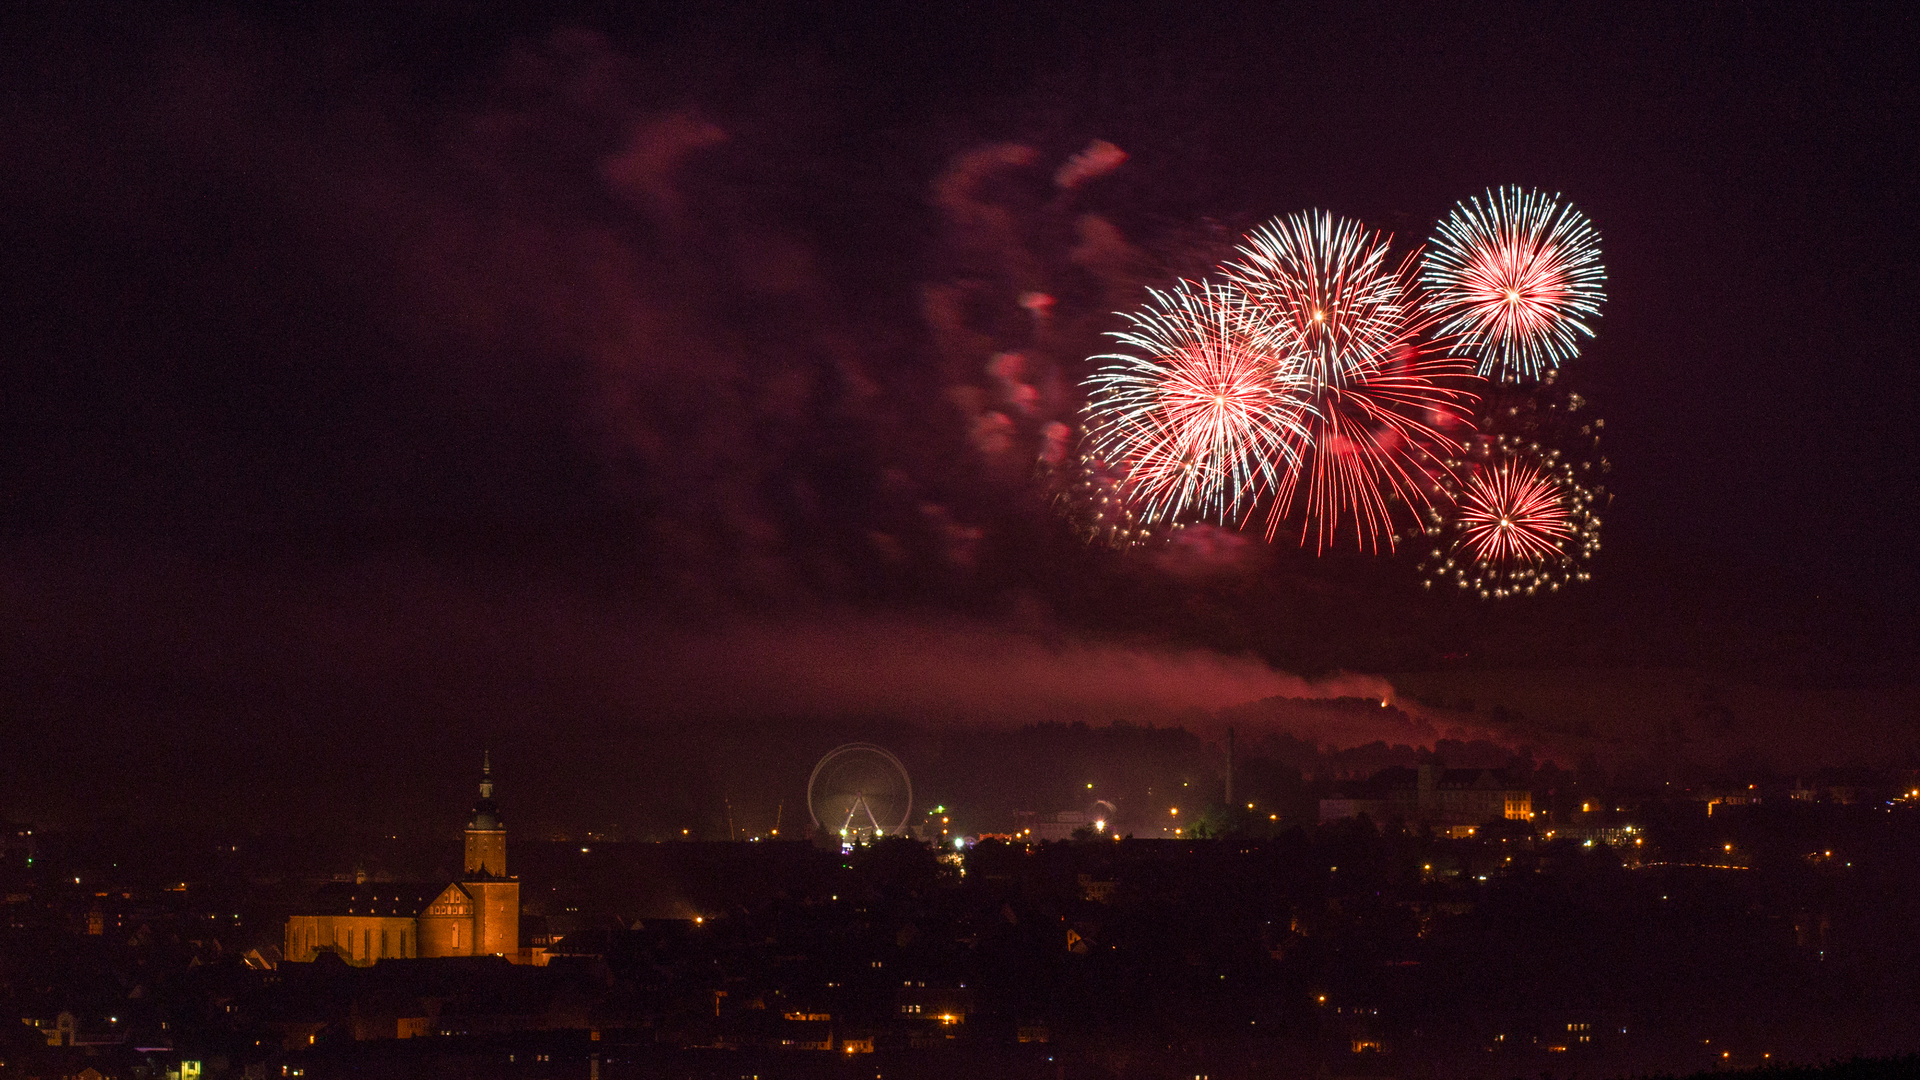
(1205, 408)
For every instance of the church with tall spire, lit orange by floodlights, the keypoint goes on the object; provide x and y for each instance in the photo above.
(473, 918)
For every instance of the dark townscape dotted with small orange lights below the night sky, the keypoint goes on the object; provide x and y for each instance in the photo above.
(1612, 941)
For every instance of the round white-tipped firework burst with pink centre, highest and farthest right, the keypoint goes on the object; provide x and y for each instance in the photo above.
(1518, 280)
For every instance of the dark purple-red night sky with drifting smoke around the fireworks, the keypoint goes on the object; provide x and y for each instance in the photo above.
(377, 385)
